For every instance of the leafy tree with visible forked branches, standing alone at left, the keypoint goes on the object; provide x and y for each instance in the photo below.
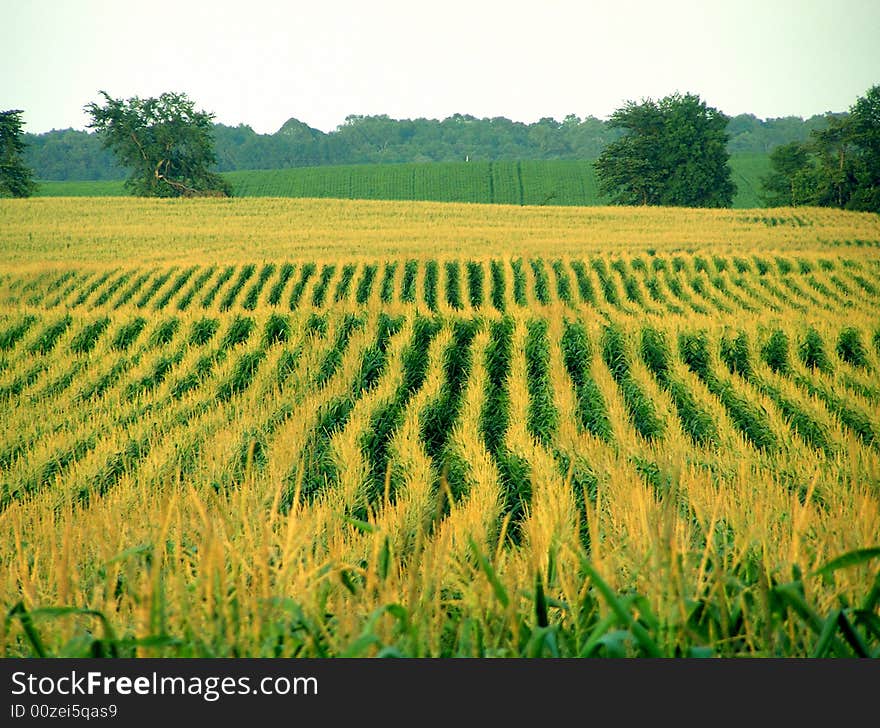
(166, 143)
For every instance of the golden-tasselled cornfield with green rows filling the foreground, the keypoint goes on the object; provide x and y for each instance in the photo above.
(330, 428)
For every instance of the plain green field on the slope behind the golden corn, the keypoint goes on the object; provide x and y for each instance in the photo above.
(513, 183)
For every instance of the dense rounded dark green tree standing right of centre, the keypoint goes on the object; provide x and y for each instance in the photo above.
(673, 152)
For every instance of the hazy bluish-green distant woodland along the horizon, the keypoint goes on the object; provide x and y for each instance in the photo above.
(70, 154)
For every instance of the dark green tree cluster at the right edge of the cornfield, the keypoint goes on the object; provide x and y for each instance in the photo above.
(838, 166)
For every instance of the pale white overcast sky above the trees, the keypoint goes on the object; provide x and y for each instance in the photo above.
(260, 63)
